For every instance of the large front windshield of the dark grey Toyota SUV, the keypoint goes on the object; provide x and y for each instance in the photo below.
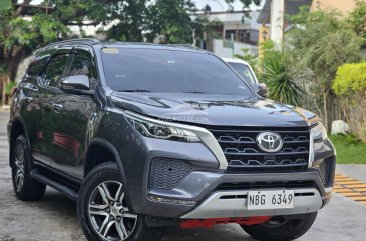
(157, 70)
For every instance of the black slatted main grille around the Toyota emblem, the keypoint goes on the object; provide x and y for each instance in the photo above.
(243, 154)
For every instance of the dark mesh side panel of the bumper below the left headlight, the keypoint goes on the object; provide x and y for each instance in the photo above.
(167, 173)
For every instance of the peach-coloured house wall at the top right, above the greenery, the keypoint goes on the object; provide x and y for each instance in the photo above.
(342, 5)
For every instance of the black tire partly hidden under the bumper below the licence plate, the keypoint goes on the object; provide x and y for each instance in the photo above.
(280, 229)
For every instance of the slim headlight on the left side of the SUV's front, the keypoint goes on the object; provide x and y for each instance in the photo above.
(159, 129)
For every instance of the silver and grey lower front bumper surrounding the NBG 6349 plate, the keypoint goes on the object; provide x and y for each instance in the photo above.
(204, 189)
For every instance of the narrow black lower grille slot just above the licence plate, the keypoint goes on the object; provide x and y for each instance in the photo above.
(263, 185)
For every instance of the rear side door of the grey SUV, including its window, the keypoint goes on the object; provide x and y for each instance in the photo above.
(48, 81)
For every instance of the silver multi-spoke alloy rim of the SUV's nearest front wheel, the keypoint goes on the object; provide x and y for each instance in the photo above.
(108, 212)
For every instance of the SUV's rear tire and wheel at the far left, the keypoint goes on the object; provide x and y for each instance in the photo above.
(25, 187)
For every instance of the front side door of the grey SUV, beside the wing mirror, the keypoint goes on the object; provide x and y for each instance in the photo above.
(72, 118)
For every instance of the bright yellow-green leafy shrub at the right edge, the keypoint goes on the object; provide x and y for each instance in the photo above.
(350, 79)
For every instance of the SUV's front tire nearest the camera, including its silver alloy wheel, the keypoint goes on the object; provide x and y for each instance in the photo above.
(96, 207)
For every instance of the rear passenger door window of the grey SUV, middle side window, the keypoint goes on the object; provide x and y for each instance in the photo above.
(55, 70)
